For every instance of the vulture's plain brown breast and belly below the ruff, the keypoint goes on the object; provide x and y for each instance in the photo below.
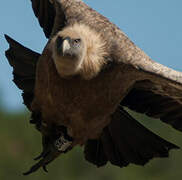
(85, 106)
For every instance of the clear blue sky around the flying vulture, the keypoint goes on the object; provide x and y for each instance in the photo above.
(155, 26)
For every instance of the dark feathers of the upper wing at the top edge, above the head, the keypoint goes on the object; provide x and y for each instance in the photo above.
(45, 12)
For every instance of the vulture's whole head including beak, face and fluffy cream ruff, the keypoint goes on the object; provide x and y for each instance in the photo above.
(78, 50)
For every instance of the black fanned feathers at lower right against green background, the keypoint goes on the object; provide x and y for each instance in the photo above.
(126, 141)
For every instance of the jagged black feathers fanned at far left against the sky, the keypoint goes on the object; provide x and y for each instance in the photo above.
(23, 61)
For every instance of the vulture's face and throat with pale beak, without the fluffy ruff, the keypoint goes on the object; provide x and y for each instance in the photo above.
(69, 52)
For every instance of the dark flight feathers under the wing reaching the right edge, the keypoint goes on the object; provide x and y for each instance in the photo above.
(156, 100)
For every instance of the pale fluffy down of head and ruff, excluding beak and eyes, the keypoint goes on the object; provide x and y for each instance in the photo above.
(91, 57)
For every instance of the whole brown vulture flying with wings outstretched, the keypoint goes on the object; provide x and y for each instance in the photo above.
(78, 87)
